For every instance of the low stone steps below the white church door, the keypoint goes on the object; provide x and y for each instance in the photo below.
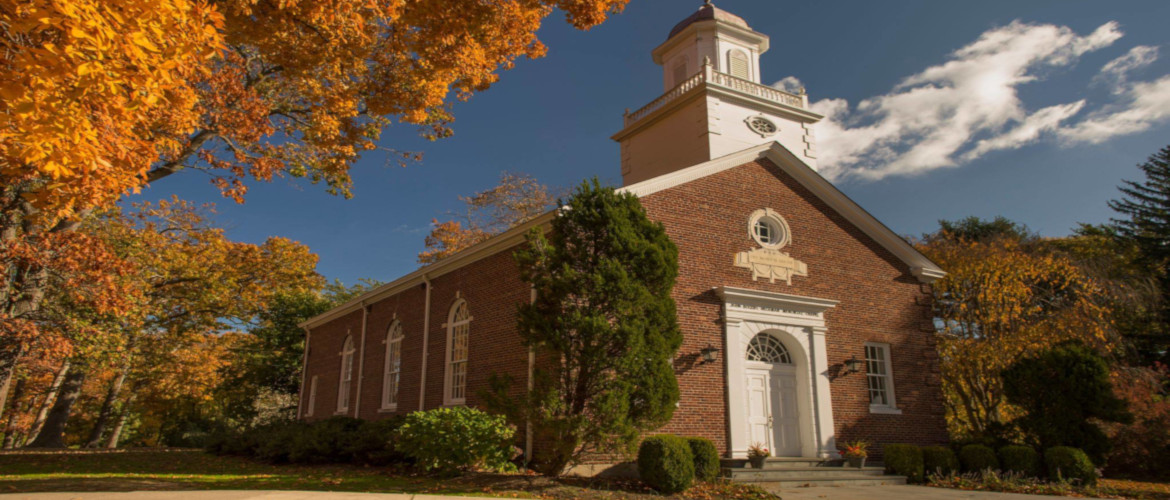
(790, 472)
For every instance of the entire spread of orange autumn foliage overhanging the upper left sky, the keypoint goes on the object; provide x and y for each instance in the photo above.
(101, 98)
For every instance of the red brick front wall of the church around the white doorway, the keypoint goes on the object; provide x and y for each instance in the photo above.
(880, 302)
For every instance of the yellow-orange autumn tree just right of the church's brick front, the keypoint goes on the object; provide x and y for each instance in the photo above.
(1008, 296)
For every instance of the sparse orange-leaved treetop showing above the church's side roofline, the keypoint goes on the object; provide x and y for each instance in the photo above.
(517, 200)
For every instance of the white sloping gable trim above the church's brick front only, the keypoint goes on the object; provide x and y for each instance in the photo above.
(792, 165)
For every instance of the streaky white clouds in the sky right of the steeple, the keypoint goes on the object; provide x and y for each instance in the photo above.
(969, 106)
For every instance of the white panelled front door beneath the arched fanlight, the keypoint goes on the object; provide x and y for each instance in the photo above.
(773, 420)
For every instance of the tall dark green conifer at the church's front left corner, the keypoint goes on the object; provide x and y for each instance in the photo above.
(603, 325)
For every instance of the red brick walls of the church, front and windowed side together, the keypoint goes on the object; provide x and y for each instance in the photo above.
(880, 302)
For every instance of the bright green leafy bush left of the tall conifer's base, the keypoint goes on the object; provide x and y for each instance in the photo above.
(451, 440)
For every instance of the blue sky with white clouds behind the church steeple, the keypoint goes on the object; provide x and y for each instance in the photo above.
(1024, 118)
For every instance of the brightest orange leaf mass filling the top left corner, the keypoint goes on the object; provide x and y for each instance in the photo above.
(87, 87)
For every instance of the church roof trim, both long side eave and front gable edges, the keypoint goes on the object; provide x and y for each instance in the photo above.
(919, 264)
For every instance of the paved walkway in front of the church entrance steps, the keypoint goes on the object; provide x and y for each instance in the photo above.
(897, 494)
